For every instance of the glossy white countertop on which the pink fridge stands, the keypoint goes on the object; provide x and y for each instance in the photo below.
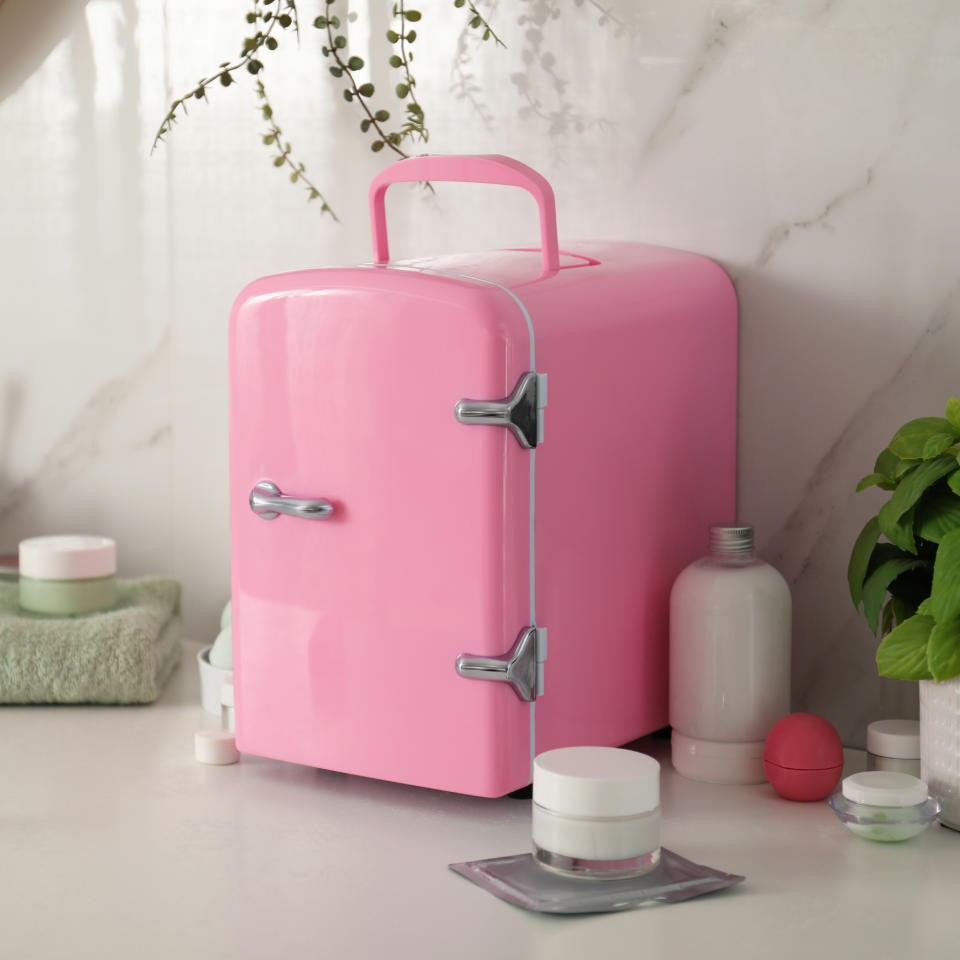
(116, 843)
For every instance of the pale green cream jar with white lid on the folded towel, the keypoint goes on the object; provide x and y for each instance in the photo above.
(62, 576)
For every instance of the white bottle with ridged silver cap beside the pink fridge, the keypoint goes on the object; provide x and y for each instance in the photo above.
(729, 660)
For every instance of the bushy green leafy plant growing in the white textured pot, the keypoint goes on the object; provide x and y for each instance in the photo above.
(908, 583)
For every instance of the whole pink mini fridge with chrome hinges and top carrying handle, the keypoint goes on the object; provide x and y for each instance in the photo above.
(460, 491)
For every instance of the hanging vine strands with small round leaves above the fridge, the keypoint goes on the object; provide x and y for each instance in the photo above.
(271, 20)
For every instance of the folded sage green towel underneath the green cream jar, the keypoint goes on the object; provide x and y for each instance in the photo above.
(122, 655)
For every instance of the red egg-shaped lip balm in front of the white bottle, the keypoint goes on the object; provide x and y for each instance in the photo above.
(803, 757)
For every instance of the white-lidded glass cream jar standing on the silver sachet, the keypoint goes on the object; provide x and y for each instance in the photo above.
(596, 812)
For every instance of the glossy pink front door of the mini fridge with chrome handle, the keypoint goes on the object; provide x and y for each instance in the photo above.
(407, 538)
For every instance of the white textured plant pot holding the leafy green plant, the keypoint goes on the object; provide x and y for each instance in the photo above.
(940, 745)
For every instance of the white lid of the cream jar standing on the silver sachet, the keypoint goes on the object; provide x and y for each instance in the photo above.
(596, 782)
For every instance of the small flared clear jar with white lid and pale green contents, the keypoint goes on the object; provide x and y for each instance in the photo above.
(884, 805)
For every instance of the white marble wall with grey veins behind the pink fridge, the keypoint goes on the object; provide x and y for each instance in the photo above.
(810, 146)
